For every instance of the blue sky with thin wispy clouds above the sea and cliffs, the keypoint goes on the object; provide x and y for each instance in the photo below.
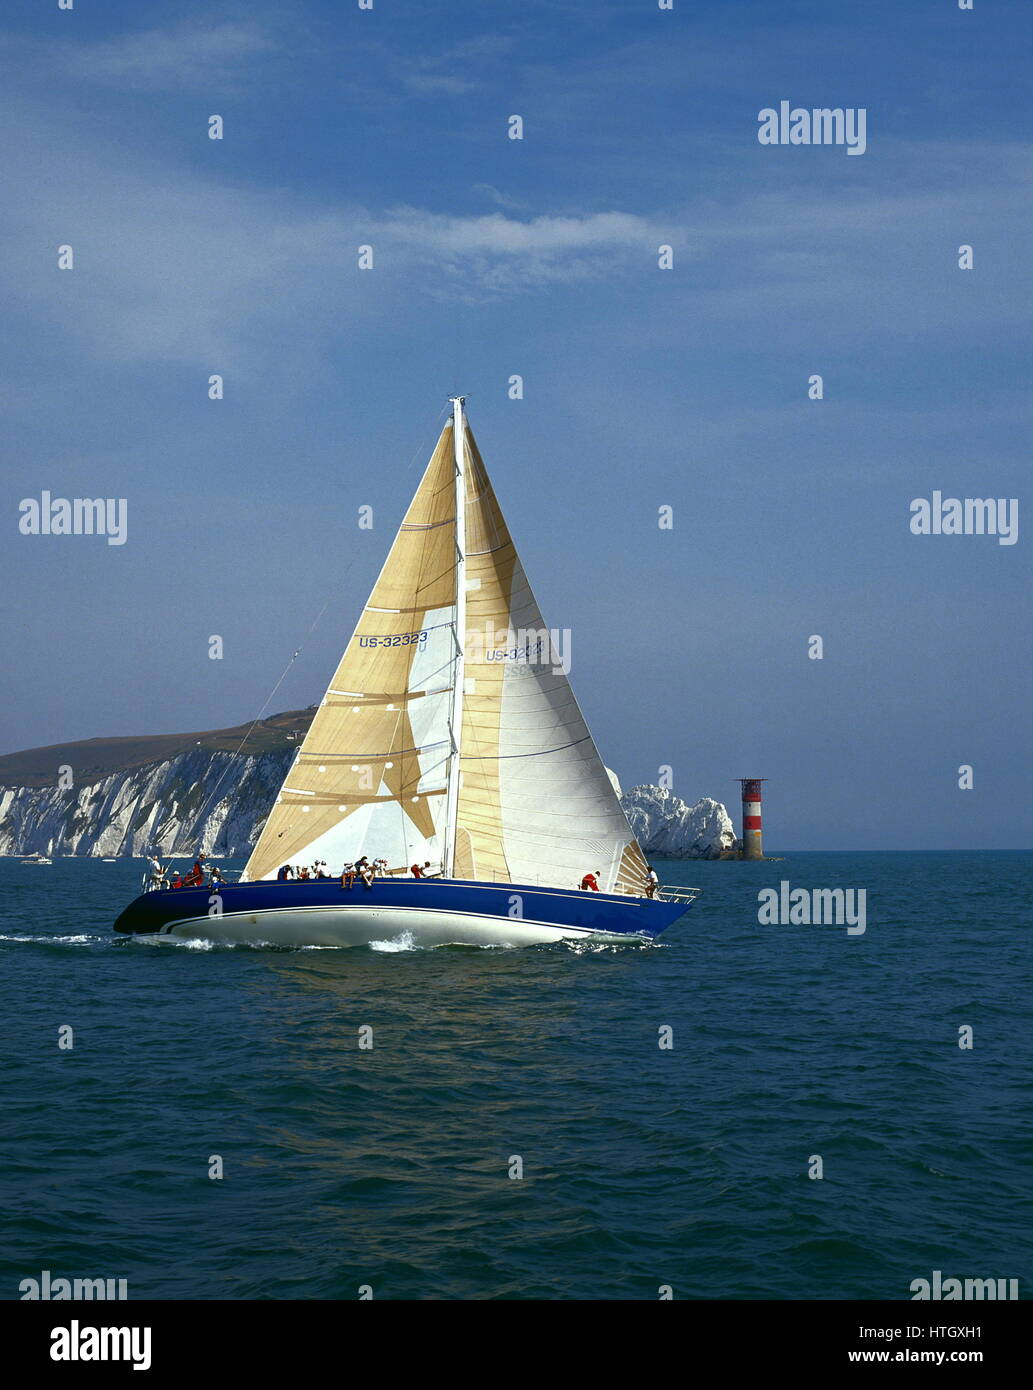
(643, 387)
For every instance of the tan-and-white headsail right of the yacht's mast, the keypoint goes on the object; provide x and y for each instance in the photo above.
(536, 804)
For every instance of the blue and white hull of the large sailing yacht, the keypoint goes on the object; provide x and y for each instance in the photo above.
(433, 910)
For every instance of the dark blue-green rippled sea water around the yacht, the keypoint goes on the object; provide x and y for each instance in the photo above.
(642, 1167)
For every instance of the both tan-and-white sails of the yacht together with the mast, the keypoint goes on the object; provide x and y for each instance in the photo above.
(450, 732)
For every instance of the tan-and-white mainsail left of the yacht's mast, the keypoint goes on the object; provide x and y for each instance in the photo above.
(379, 742)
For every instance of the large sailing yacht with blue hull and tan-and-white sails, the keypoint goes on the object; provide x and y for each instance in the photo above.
(450, 737)
